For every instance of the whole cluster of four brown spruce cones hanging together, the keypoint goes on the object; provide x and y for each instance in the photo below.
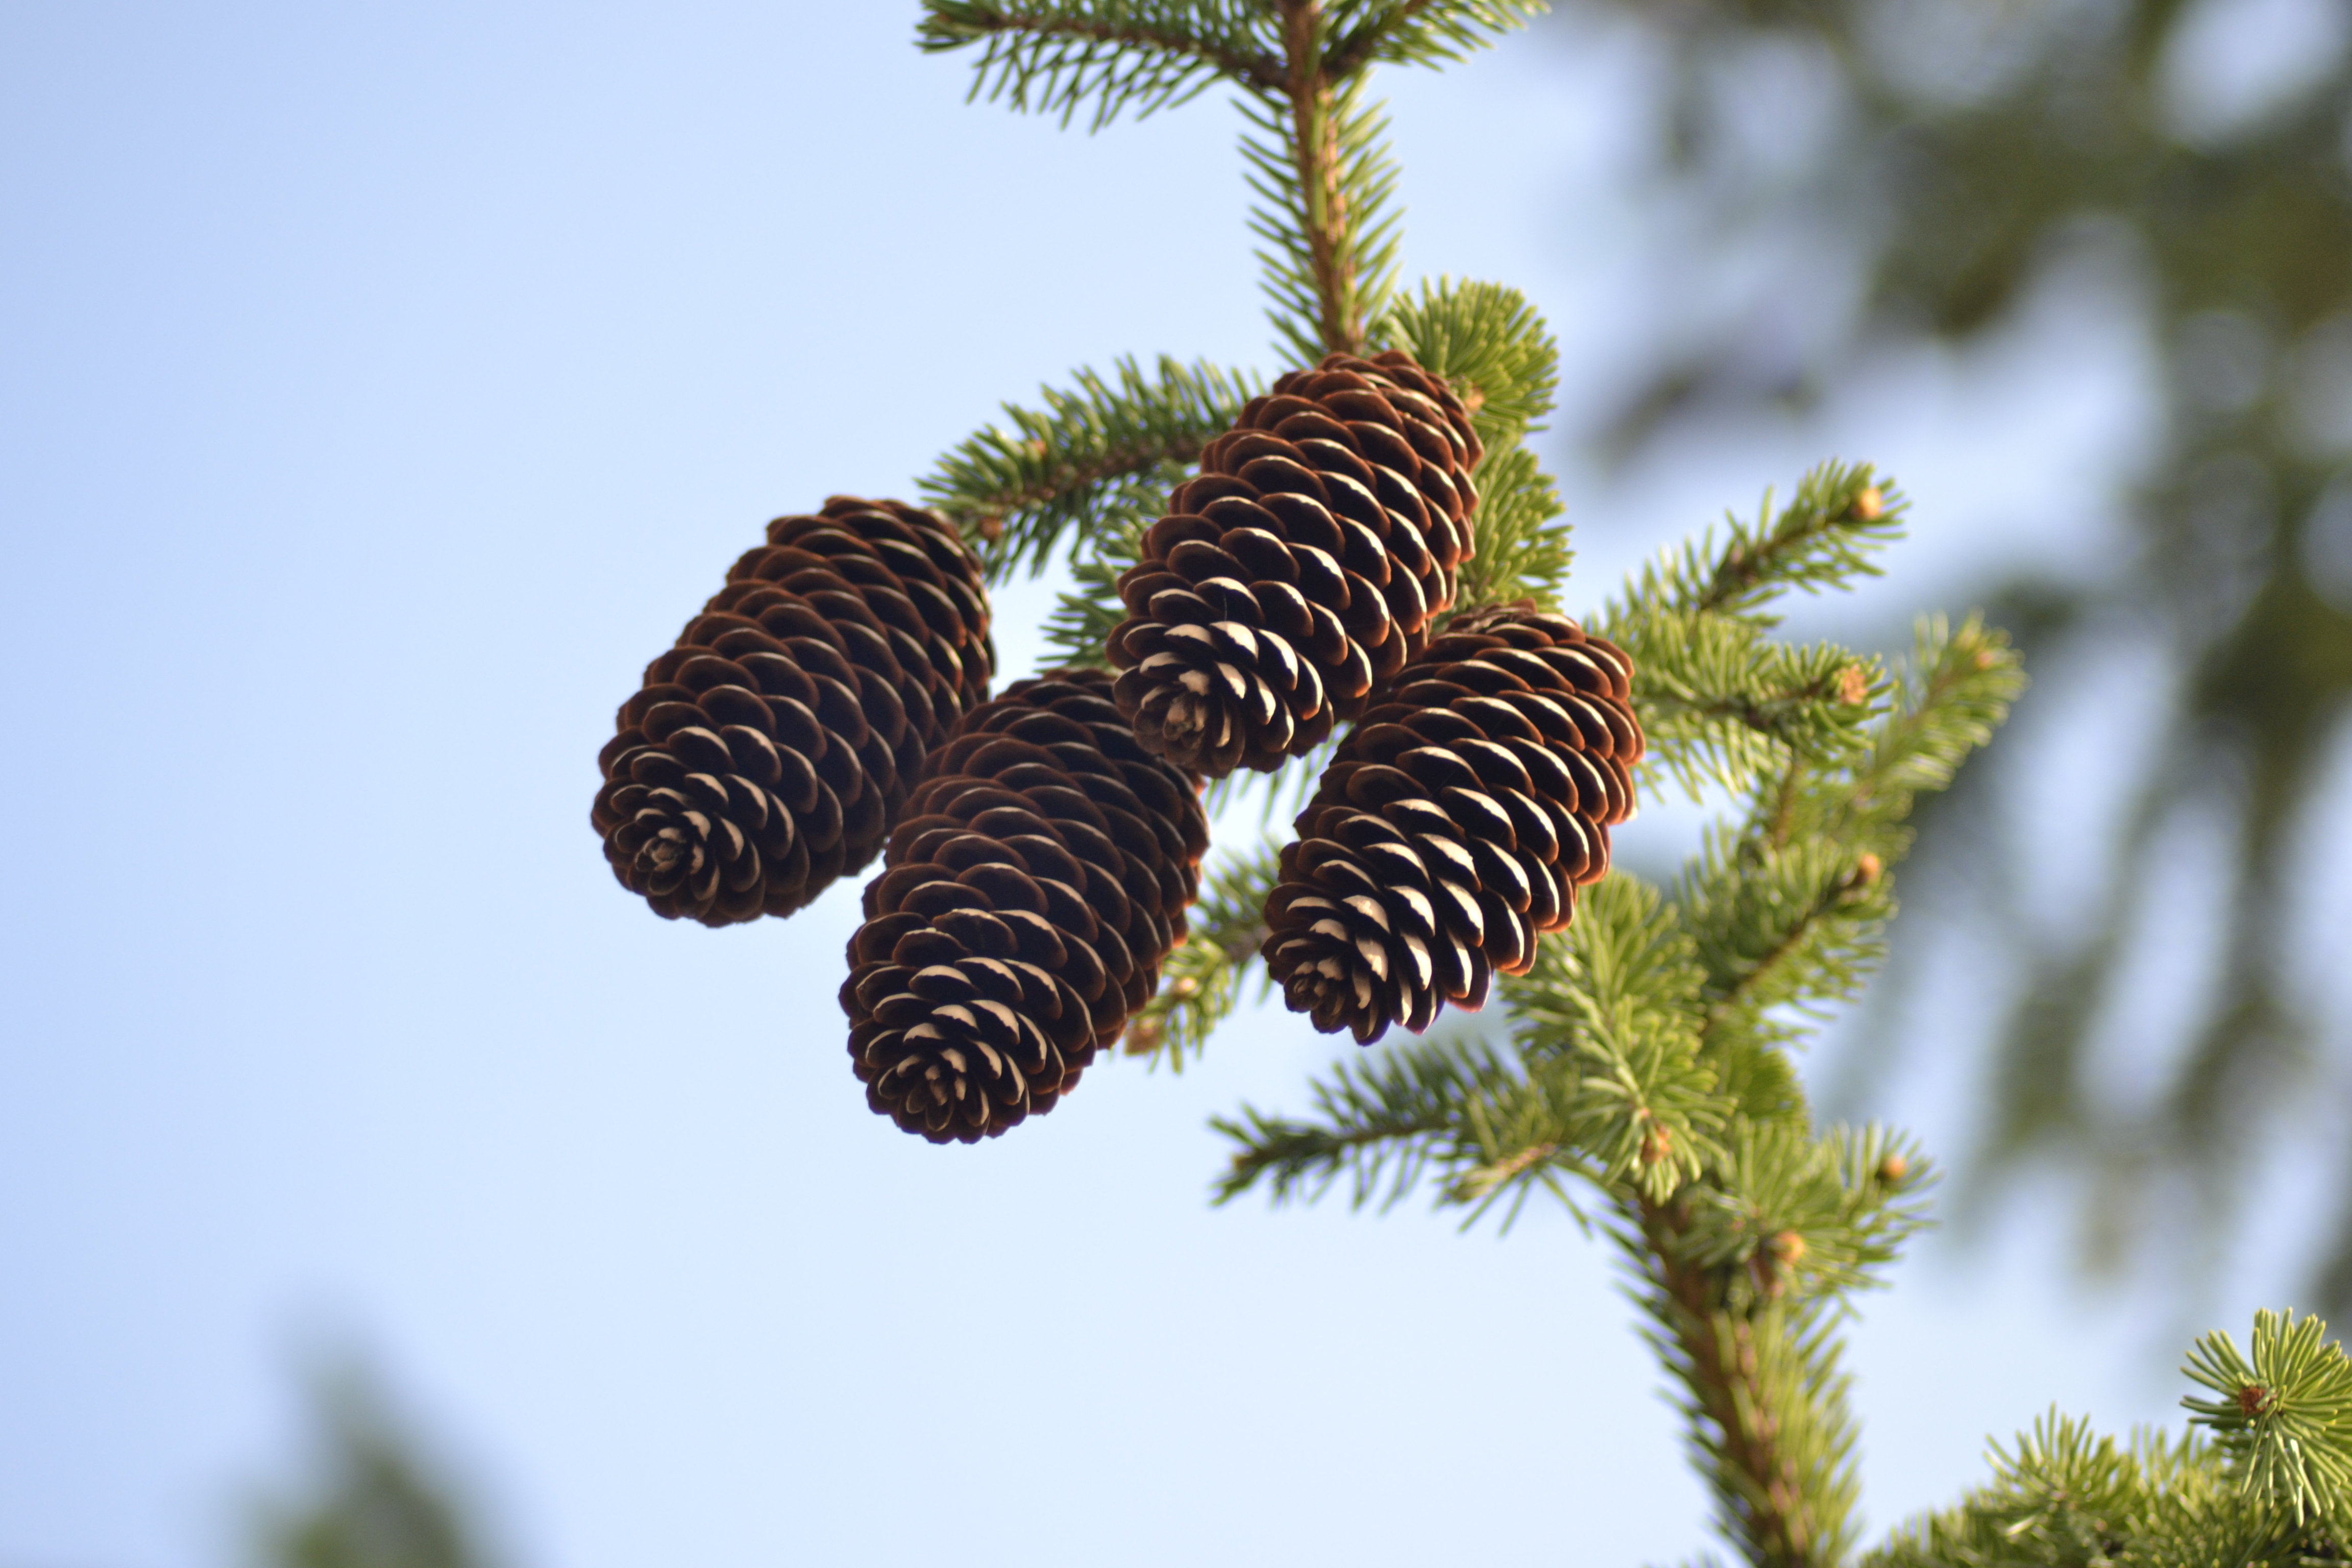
(1041, 847)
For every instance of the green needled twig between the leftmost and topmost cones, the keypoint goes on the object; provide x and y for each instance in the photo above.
(1090, 462)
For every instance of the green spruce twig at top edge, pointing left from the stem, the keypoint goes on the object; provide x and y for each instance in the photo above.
(1142, 55)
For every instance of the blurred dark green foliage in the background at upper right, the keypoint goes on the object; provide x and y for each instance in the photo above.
(1965, 152)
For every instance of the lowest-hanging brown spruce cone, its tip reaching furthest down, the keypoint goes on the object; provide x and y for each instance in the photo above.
(1031, 894)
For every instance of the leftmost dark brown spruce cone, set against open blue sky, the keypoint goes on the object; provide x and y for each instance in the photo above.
(775, 746)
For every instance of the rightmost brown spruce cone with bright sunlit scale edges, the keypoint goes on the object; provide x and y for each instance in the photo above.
(1457, 824)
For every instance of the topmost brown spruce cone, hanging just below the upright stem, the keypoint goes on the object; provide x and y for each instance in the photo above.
(1299, 572)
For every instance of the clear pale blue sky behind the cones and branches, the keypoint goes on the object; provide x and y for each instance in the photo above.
(380, 389)
